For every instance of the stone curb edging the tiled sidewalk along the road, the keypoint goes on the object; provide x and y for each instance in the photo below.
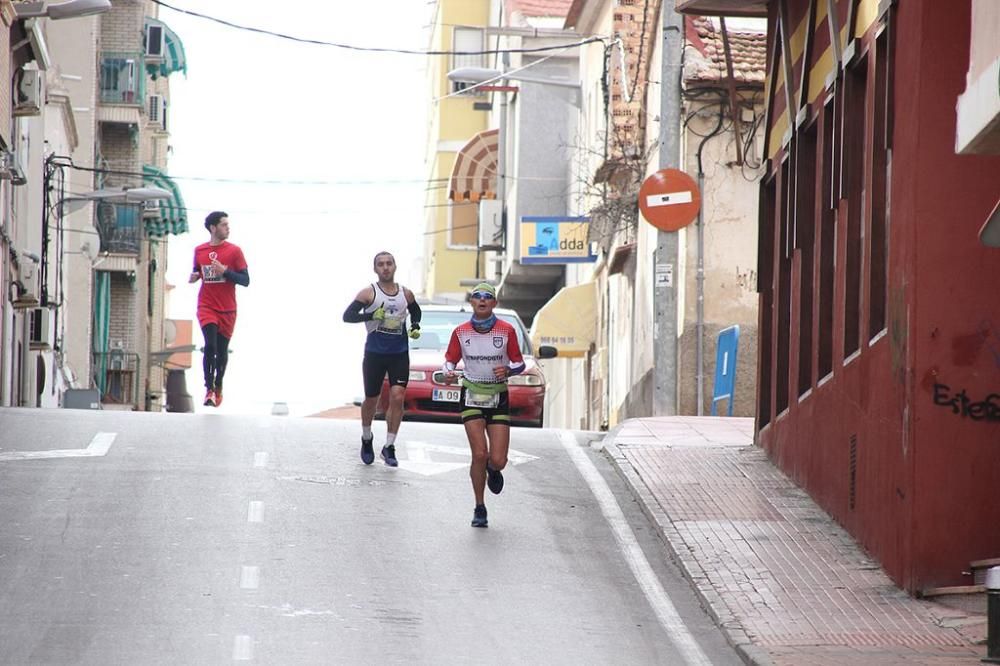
(710, 599)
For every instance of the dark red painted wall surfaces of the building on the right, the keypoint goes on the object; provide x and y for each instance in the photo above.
(924, 478)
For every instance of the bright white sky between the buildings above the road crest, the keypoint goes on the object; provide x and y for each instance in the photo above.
(260, 108)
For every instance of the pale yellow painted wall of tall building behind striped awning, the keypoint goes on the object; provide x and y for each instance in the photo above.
(452, 120)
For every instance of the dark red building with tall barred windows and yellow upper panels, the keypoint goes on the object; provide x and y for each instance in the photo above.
(877, 363)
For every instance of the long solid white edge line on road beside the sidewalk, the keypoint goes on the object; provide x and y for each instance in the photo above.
(669, 618)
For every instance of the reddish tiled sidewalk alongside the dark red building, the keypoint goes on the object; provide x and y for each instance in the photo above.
(786, 583)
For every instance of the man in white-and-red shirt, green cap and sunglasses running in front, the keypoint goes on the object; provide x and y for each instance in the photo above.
(490, 352)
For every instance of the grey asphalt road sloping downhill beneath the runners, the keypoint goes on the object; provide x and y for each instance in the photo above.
(208, 539)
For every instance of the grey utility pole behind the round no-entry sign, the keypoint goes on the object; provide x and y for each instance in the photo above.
(665, 265)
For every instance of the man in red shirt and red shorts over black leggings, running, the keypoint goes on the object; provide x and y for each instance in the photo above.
(220, 266)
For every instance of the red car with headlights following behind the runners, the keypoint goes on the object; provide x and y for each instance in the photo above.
(428, 398)
